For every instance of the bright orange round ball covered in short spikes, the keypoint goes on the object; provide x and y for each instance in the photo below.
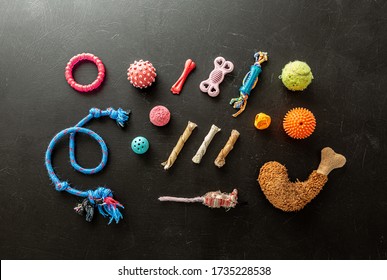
(299, 123)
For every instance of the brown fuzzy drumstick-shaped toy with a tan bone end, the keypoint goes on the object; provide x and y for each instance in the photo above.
(293, 196)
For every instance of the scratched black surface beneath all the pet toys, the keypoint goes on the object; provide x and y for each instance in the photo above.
(343, 42)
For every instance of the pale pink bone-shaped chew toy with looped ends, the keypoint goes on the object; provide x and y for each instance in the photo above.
(211, 85)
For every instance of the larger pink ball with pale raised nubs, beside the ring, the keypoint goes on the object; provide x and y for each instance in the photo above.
(141, 74)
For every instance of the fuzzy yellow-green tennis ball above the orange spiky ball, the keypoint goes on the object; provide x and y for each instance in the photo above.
(296, 75)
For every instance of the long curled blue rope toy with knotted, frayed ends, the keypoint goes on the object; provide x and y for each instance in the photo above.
(102, 198)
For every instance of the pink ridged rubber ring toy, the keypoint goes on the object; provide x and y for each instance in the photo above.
(69, 72)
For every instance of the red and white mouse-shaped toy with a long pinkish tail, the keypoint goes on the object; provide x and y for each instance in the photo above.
(214, 199)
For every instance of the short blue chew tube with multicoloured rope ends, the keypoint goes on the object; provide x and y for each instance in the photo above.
(249, 82)
